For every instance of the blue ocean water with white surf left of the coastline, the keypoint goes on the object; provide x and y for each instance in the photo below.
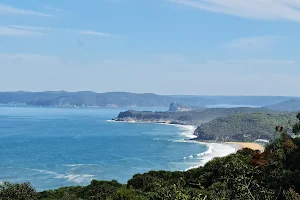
(55, 147)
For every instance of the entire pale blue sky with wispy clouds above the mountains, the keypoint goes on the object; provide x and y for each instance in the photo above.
(199, 47)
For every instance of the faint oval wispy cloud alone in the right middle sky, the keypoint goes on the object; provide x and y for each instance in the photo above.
(253, 43)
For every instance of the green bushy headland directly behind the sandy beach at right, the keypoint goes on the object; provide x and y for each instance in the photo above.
(244, 127)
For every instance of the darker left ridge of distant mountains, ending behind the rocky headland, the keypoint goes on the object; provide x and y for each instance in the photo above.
(111, 99)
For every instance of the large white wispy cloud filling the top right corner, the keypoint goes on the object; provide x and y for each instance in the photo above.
(257, 9)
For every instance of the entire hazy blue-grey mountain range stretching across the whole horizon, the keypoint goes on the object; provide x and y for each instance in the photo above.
(126, 99)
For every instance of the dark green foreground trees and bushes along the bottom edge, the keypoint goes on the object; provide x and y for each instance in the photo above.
(248, 174)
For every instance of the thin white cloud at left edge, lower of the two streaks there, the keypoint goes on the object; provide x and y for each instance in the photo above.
(9, 31)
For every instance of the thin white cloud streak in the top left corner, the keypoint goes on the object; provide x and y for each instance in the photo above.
(9, 10)
